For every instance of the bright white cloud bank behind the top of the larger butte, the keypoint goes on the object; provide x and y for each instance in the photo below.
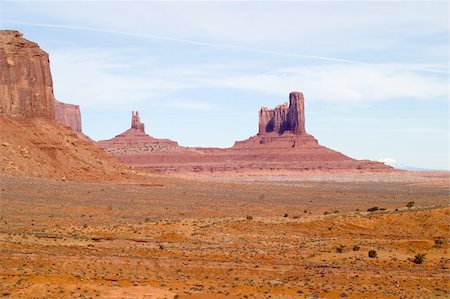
(345, 83)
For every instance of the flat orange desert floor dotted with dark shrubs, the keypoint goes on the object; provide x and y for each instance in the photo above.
(235, 238)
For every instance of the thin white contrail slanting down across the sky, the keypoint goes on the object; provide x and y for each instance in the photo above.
(214, 45)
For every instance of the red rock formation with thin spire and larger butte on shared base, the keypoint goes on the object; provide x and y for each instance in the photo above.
(282, 146)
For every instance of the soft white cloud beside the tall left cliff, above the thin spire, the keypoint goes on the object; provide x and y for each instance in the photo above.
(93, 77)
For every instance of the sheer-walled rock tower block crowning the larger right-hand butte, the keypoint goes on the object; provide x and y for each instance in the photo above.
(284, 118)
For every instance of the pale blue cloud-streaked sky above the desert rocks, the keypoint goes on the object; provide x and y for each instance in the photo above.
(374, 74)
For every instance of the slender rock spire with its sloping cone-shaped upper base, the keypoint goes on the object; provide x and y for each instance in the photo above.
(135, 138)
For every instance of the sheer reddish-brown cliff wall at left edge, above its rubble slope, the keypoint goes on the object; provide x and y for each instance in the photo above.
(26, 88)
